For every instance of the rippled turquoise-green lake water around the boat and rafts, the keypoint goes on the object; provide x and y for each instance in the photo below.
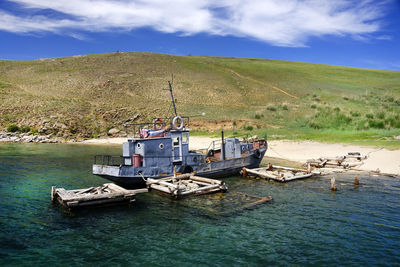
(306, 224)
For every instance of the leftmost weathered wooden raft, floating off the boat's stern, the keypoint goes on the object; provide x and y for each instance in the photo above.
(94, 196)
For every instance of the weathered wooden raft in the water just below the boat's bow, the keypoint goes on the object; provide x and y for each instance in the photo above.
(278, 173)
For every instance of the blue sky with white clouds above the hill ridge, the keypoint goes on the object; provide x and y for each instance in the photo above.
(359, 33)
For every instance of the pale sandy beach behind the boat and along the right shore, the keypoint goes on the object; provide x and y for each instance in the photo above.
(382, 160)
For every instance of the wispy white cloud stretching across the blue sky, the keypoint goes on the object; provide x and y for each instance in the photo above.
(277, 22)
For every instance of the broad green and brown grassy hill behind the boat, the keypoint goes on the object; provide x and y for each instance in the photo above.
(85, 96)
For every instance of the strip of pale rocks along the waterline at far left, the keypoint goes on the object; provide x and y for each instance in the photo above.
(31, 138)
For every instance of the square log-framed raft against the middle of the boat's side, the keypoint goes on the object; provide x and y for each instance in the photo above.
(185, 185)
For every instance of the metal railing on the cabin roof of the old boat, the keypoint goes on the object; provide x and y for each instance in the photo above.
(158, 124)
